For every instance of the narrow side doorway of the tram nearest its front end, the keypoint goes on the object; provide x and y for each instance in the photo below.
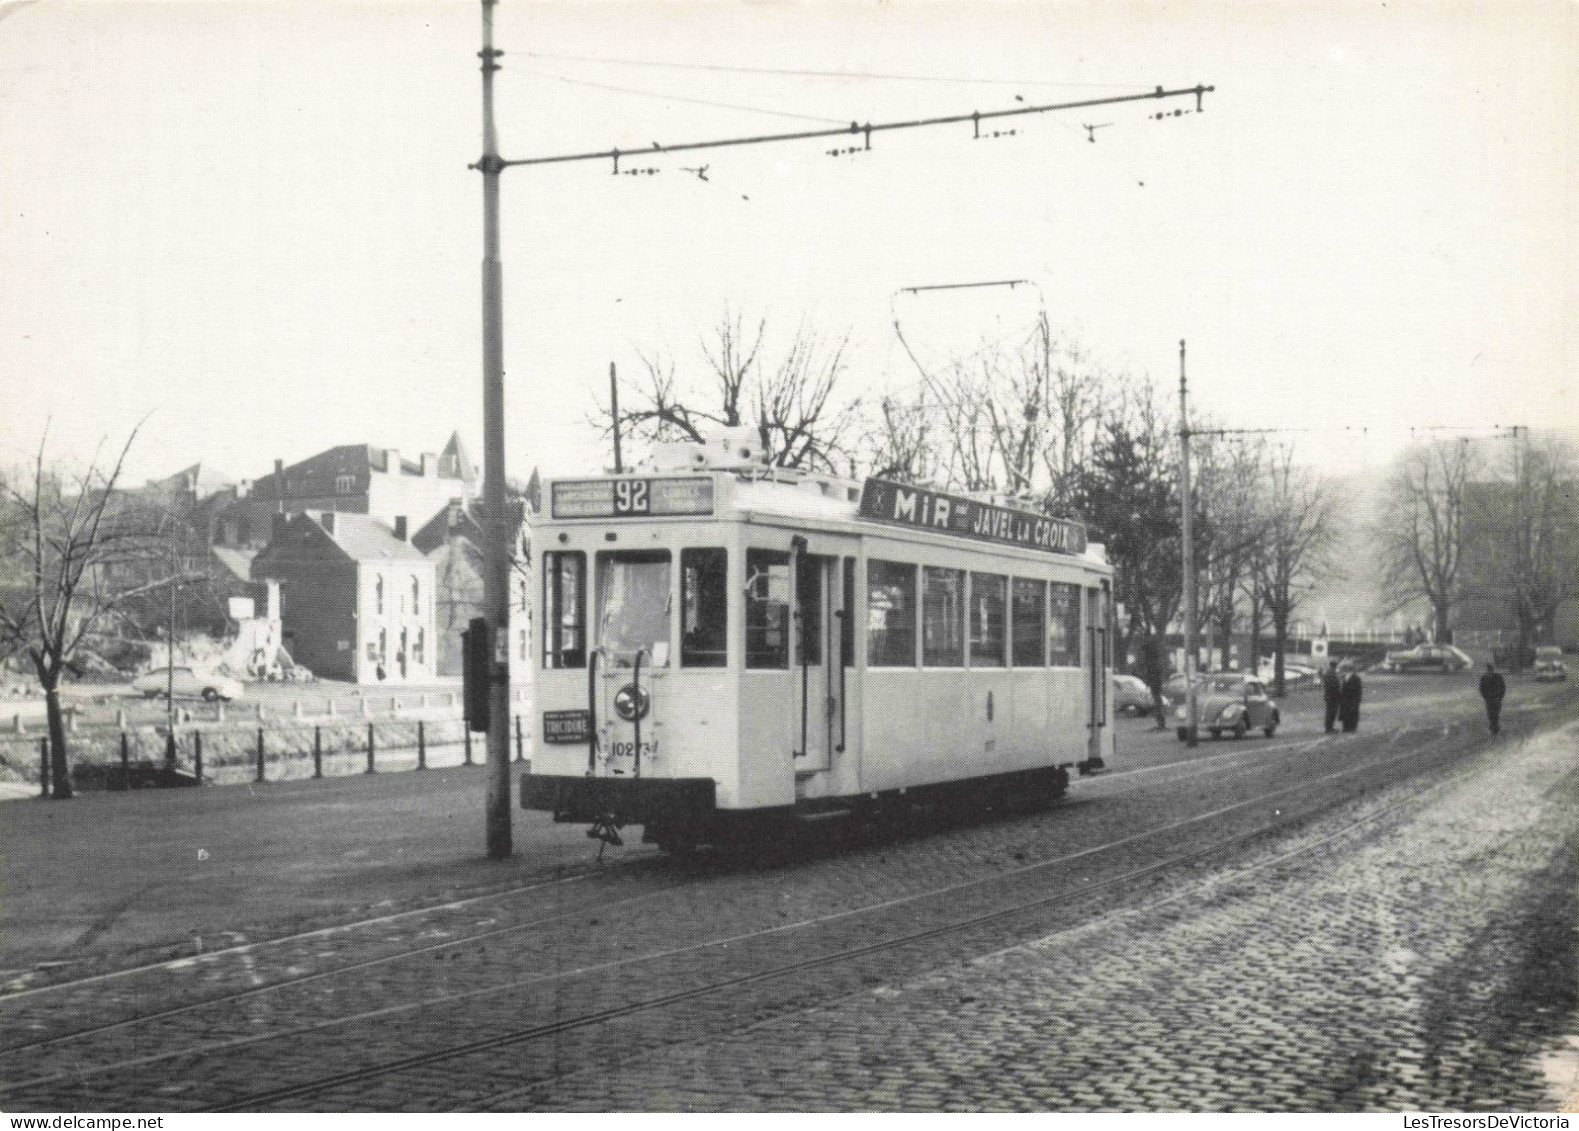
(814, 664)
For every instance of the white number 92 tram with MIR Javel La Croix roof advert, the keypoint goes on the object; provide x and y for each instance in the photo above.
(724, 642)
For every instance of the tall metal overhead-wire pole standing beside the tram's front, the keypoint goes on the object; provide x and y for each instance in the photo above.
(497, 550)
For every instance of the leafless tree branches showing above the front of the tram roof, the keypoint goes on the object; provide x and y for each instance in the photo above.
(793, 400)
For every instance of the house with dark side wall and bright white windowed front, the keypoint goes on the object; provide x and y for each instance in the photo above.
(356, 598)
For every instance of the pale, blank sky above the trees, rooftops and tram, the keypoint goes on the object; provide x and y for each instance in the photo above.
(250, 228)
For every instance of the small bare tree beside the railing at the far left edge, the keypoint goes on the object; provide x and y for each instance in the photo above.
(70, 555)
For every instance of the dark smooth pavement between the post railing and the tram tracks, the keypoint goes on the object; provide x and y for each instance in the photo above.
(159, 870)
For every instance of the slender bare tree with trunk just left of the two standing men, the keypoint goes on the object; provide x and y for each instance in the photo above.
(1302, 528)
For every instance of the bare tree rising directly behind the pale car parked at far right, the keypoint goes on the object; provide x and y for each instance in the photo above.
(1420, 530)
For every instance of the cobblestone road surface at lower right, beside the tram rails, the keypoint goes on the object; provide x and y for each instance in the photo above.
(1420, 971)
